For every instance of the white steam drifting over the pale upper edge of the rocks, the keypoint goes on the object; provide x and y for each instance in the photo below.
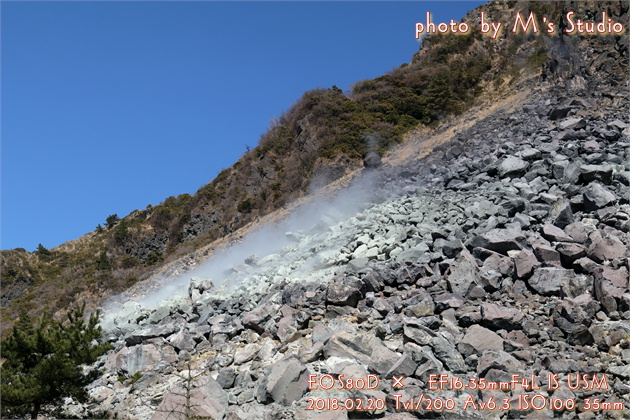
(307, 239)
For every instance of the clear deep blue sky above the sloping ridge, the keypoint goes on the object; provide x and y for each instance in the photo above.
(110, 106)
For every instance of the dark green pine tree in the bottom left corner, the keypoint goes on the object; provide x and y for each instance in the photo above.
(48, 362)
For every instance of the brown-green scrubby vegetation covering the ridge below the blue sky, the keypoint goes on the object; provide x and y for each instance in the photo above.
(322, 136)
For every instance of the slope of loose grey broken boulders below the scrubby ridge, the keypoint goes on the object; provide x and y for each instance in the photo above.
(487, 281)
